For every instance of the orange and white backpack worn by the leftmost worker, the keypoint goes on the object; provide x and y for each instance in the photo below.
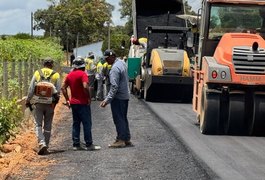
(44, 90)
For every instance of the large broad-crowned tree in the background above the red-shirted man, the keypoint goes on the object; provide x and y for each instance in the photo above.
(74, 19)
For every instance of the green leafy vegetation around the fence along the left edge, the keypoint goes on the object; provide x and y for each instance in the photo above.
(14, 50)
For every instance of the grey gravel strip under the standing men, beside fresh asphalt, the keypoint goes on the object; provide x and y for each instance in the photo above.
(157, 152)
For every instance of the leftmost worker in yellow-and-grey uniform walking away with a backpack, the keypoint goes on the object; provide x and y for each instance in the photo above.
(43, 111)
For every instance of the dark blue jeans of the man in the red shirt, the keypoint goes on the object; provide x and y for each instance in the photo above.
(81, 114)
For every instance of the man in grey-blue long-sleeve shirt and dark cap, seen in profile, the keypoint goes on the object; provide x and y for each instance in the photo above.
(118, 97)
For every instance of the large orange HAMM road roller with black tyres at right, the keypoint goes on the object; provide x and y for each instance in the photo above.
(229, 73)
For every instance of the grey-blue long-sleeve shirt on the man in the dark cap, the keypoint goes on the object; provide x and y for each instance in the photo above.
(119, 87)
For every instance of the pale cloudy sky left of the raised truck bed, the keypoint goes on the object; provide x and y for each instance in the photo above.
(15, 15)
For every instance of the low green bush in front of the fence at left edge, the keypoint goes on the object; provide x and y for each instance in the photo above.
(10, 117)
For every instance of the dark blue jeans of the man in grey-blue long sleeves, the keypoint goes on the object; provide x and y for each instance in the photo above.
(119, 109)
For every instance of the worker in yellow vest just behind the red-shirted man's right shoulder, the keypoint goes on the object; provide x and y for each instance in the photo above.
(91, 69)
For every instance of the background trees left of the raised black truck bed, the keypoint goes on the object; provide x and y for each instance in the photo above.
(86, 21)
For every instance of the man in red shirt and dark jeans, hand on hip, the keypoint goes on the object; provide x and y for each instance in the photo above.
(80, 101)
